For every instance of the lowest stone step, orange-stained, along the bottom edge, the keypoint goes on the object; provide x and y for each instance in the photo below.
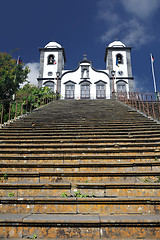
(79, 226)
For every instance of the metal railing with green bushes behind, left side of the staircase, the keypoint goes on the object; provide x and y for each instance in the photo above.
(11, 109)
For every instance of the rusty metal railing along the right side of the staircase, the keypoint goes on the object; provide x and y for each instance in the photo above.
(147, 103)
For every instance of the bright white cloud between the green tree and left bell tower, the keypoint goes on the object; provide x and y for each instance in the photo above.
(34, 72)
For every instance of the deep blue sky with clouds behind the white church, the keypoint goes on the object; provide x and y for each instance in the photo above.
(85, 26)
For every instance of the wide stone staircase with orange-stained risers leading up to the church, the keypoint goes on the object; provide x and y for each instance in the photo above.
(80, 170)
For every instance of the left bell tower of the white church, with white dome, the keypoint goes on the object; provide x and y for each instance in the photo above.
(52, 60)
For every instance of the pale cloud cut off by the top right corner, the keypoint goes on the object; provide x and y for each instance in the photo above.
(141, 8)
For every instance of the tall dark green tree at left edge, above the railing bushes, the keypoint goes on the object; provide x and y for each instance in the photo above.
(11, 75)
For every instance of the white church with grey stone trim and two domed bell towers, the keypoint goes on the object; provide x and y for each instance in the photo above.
(85, 82)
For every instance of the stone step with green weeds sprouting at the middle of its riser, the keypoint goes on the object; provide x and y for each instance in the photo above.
(84, 190)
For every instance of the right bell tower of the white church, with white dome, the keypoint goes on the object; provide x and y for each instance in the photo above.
(118, 64)
